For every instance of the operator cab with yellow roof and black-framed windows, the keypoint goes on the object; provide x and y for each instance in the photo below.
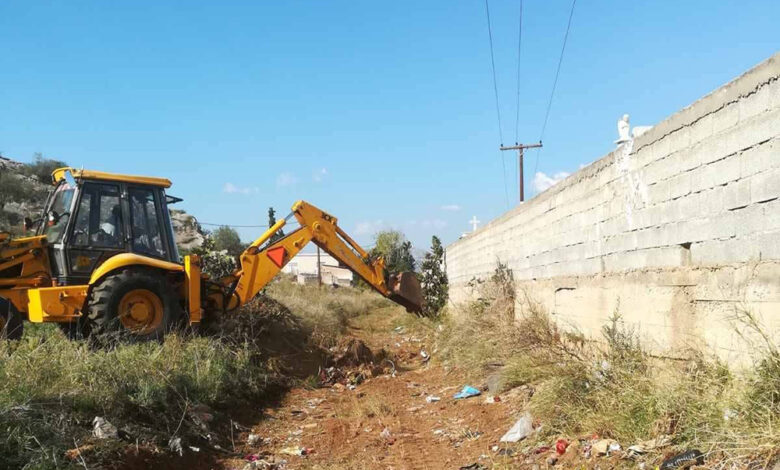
(91, 216)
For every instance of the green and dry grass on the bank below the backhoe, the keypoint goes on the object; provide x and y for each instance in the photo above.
(51, 388)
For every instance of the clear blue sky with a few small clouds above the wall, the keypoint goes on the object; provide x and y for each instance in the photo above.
(381, 113)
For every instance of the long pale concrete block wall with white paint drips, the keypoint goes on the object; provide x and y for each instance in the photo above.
(689, 208)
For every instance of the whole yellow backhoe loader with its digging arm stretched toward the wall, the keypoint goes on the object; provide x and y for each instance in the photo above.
(104, 261)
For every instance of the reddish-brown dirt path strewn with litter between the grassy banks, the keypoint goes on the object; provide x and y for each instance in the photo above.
(385, 421)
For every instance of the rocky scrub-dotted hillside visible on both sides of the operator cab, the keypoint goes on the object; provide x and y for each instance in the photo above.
(23, 190)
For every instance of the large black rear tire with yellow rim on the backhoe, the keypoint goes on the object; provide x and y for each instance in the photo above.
(108, 324)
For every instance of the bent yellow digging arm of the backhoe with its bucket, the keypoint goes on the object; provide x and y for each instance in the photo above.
(263, 260)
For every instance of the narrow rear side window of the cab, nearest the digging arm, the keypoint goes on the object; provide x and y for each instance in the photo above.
(145, 220)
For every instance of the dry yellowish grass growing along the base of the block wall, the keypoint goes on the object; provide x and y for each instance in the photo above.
(616, 389)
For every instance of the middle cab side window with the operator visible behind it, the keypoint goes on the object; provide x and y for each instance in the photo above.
(99, 217)
